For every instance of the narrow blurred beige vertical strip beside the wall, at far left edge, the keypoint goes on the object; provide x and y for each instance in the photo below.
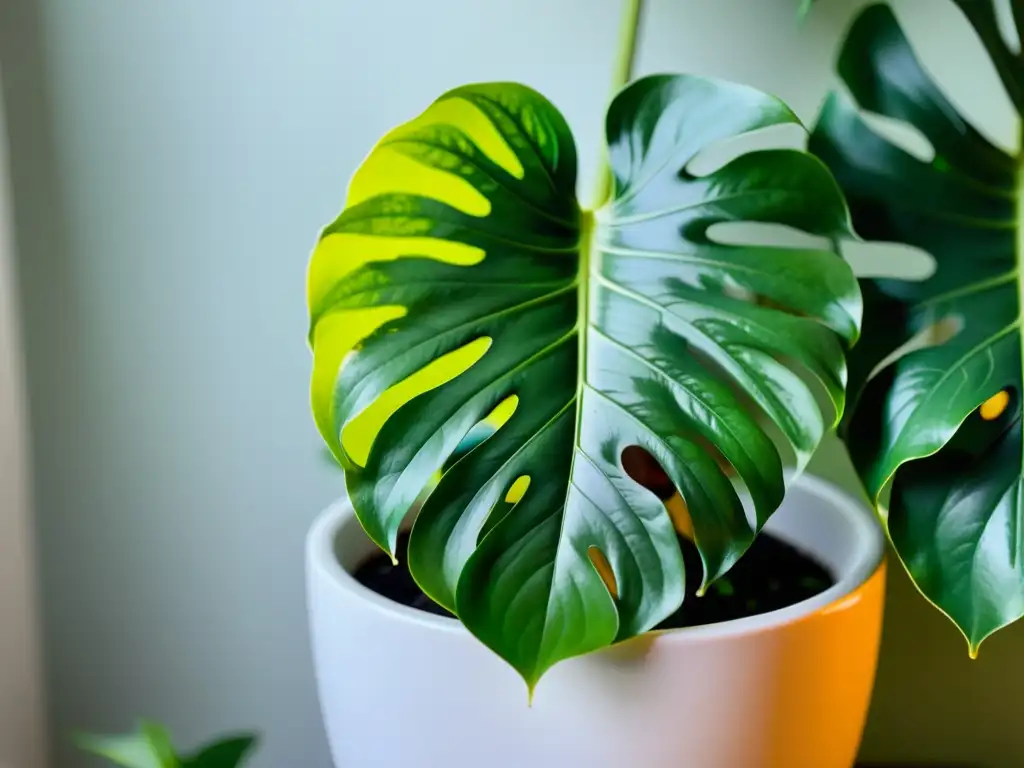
(22, 731)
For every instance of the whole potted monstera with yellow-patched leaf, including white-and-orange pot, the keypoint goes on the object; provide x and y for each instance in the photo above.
(609, 380)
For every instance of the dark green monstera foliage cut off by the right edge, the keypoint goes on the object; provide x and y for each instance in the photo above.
(943, 423)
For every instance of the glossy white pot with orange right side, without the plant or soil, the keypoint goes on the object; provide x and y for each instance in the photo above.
(786, 690)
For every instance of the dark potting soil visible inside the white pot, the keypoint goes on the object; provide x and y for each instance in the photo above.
(772, 576)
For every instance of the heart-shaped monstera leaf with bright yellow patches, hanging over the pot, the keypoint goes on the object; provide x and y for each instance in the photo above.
(463, 285)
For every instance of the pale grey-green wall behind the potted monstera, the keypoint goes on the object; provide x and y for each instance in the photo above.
(175, 161)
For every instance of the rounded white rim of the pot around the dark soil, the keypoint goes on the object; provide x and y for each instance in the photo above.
(339, 521)
